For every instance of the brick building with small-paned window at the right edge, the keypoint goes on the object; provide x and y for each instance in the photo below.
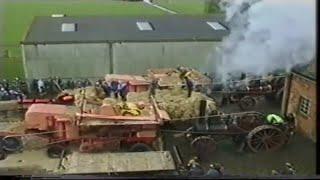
(300, 98)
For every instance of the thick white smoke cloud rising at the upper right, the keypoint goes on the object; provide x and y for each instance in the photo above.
(266, 36)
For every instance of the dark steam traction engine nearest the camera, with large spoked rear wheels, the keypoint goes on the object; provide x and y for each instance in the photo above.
(249, 128)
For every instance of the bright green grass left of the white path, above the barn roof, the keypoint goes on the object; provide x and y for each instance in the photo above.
(19, 15)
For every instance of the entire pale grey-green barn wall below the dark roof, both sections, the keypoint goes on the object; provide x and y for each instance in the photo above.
(93, 60)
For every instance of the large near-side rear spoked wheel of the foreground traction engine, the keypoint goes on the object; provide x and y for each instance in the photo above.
(265, 138)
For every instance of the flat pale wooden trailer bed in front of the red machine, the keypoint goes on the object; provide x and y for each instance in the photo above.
(81, 163)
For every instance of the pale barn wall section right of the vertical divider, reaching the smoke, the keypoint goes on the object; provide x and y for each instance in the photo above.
(136, 58)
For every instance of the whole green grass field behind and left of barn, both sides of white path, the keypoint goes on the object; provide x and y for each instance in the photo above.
(17, 15)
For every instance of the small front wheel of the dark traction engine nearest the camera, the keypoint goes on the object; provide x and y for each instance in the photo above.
(204, 146)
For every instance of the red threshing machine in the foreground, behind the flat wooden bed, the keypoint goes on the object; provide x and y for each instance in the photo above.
(65, 127)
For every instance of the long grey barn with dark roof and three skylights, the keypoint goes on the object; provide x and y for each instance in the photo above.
(89, 47)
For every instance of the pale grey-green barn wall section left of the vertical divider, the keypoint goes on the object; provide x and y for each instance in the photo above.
(66, 60)
